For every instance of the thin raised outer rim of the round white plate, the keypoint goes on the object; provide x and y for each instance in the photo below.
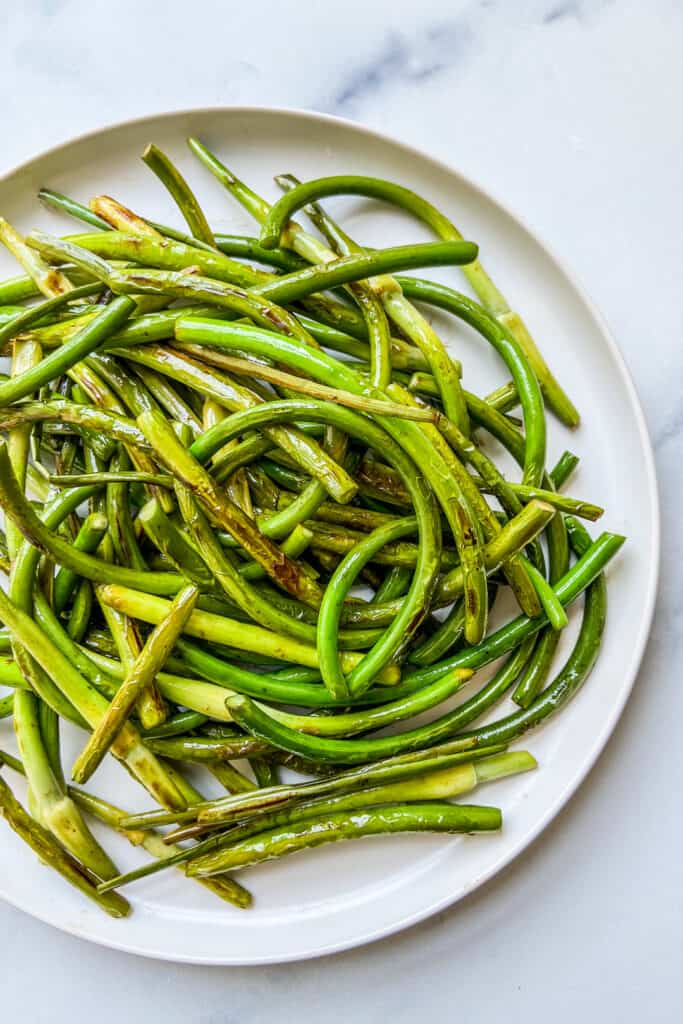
(604, 736)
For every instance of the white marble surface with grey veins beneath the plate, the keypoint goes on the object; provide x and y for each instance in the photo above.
(571, 113)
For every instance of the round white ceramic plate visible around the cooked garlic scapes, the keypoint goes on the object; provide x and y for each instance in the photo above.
(332, 900)
